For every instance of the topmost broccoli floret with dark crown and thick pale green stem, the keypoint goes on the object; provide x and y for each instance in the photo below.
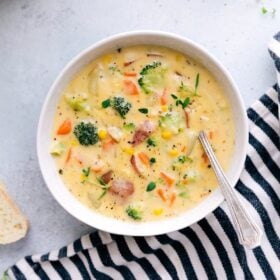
(152, 77)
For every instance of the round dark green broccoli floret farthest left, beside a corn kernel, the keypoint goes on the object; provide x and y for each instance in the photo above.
(86, 133)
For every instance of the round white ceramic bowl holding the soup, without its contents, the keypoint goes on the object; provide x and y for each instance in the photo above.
(47, 164)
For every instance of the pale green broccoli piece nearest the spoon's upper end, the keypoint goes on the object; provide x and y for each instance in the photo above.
(172, 121)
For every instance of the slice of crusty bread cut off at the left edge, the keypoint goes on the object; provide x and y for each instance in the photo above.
(13, 224)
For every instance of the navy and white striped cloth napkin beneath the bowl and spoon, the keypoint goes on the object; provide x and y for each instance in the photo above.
(206, 250)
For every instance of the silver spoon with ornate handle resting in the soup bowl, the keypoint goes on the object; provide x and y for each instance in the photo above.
(249, 234)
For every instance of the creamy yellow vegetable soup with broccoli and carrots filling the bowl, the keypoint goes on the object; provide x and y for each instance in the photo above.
(125, 132)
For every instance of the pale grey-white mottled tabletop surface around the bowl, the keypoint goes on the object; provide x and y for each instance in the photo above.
(37, 38)
